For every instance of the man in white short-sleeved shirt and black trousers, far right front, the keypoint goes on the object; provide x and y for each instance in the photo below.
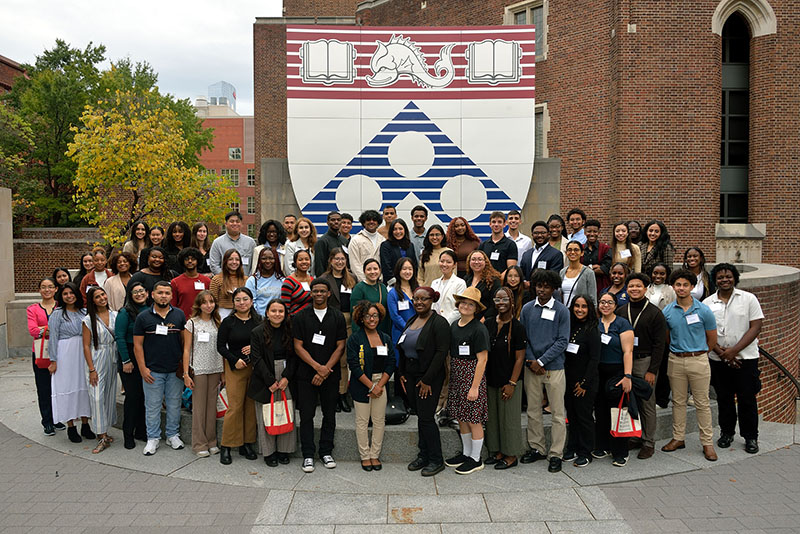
(734, 359)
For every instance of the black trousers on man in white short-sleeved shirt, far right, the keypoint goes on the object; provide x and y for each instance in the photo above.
(737, 387)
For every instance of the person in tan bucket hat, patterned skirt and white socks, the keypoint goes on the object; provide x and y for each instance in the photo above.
(467, 398)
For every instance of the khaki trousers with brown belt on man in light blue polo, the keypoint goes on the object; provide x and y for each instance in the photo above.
(694, 372)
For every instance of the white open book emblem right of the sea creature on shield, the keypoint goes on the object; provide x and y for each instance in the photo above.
(494, 61)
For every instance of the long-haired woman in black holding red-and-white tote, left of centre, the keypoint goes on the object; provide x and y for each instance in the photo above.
(274, 363)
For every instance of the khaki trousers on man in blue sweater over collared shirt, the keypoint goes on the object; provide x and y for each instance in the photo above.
(556, 385)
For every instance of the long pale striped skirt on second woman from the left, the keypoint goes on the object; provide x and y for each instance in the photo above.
(70, 394)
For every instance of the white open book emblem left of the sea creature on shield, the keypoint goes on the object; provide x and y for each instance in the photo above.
(327, 61)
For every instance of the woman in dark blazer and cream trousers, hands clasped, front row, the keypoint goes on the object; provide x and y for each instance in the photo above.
(370, 356)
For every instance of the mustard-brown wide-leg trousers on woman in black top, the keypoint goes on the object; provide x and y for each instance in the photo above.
(239, 425)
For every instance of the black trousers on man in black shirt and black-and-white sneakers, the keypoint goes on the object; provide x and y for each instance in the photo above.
(328, 395)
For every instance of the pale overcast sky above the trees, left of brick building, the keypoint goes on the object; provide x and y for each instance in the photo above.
(191, 45)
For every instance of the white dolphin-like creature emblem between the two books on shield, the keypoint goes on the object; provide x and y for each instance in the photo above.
(400, 56)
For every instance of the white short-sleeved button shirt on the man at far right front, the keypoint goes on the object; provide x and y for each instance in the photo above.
(733, 321)
